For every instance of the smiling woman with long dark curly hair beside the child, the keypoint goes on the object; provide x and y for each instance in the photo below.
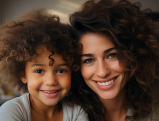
(119, 61)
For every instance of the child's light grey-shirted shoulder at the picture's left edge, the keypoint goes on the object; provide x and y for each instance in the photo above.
(17, 109)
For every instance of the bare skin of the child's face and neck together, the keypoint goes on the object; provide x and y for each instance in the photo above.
(41, 77)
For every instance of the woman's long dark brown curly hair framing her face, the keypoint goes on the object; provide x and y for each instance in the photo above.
(133, 34)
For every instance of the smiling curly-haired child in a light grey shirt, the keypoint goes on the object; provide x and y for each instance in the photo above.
(37, 54)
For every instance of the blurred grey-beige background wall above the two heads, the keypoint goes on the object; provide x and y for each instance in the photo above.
(12, 9)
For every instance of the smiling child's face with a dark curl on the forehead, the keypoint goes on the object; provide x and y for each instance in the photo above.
(47, 84)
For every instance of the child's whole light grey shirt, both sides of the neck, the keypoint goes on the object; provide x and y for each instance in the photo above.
(18, 109)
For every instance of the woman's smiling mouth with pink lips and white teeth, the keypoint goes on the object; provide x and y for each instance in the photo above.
(105, 85)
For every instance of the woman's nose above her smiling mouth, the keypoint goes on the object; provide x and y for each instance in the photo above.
(103, 69)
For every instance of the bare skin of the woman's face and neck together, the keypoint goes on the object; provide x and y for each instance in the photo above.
(100, 64)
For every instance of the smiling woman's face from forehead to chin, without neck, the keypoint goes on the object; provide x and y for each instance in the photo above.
(100, 66)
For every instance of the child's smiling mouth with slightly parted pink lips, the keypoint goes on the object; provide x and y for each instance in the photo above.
(50, 93)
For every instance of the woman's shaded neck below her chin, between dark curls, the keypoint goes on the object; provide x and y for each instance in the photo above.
(116, 108)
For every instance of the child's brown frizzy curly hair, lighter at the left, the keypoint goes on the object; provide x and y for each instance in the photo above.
(18, 40)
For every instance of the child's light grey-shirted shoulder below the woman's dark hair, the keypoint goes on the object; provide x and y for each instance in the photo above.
(73, 112)
